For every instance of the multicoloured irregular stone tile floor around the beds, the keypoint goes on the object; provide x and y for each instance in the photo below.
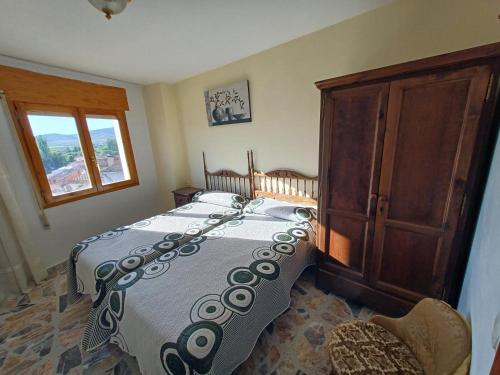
(40, 334)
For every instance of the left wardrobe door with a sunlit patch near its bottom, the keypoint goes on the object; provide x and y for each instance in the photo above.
(352, 133)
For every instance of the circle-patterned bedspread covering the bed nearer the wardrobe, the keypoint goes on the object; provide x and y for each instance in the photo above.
(201, 307)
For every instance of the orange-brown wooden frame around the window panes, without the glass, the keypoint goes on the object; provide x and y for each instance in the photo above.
(32, 153)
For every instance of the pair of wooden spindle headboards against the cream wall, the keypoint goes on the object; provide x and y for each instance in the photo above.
(281, 184)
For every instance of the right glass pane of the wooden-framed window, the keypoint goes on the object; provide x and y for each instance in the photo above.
(108, 147)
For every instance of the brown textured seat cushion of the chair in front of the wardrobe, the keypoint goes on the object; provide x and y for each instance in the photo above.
(364, 348)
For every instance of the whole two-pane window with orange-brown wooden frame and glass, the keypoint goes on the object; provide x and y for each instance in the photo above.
(74, 152)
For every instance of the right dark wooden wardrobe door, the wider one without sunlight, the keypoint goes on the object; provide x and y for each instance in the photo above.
(432, 124)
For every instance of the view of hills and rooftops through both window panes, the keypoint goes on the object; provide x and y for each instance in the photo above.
(60, 149)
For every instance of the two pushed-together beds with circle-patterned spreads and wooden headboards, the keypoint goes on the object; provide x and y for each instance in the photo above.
(224, 253)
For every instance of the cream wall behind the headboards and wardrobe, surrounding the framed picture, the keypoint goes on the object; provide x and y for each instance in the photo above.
(285, 102)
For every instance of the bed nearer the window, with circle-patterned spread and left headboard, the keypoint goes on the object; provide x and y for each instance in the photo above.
(97, 262)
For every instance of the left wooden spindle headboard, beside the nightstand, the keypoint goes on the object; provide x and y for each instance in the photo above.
(230, 181)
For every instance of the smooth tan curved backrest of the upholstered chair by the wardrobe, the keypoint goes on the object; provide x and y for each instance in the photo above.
(437, 334)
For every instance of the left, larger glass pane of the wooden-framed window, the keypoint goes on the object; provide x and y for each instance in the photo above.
(61, 152)
